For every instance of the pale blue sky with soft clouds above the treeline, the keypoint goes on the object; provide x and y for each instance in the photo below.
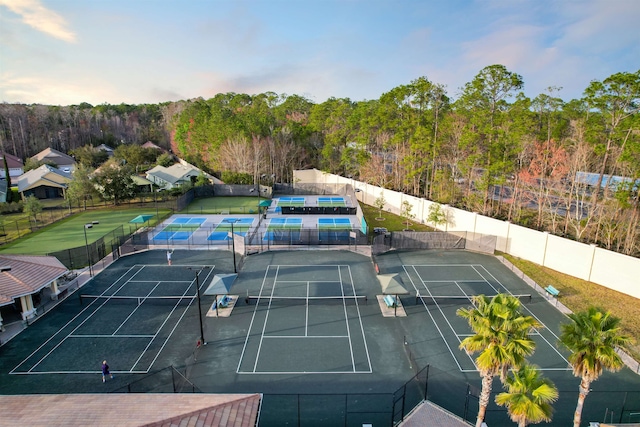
(65, 52)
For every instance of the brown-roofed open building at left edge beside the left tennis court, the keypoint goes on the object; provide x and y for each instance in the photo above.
(22, 278)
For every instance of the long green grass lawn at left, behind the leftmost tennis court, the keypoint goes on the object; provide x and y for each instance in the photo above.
(69, 232)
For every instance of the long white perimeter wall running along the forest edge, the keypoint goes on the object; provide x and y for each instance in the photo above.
(585, 261)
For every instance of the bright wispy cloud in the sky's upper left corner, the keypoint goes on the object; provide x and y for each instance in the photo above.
(34, 14)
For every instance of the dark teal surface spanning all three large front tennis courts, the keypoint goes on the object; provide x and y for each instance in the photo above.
(309, 356)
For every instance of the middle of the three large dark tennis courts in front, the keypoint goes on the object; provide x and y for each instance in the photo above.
(306, 320)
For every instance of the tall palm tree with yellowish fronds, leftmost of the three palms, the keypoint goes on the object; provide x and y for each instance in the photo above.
(501, 335)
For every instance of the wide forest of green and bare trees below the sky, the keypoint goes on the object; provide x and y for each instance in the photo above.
(490, 149)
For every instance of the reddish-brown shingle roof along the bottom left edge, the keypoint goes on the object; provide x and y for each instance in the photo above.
(131, 410)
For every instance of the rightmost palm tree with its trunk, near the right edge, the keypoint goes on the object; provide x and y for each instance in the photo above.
(592, 337)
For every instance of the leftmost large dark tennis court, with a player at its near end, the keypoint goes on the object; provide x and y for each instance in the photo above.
(134, 317)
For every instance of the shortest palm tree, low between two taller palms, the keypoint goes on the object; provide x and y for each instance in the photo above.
(529, 396)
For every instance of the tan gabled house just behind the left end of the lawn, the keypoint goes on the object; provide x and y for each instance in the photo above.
(45, 182)
